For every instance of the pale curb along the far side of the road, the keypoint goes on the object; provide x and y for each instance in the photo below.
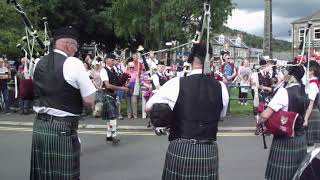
(121, 127)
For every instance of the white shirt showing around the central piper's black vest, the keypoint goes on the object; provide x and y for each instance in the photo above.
(169, 93)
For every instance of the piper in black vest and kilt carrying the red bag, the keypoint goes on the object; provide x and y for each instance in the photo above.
(286, 153)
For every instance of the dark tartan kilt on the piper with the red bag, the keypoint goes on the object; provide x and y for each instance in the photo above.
(285, 156)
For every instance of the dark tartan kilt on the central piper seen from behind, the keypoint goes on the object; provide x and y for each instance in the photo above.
(191, 162)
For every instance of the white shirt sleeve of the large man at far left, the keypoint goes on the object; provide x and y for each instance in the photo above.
(75, 74)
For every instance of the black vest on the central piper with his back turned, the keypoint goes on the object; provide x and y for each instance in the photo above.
(197, 110)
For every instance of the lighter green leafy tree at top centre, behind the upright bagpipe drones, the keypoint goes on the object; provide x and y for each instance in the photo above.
(158, 21)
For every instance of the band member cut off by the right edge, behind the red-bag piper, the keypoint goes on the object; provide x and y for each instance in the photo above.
(312, 117)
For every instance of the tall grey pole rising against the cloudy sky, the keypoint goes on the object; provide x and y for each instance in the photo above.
(267, 39)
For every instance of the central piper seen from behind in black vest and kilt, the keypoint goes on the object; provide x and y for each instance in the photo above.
(197, 101)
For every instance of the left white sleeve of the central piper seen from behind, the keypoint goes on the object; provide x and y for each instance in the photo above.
(167, 94)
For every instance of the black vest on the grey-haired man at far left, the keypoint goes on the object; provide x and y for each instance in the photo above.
(51, 90)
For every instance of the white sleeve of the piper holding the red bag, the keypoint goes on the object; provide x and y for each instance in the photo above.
(280, 100)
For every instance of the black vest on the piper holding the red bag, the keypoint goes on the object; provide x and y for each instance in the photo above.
(297, 103)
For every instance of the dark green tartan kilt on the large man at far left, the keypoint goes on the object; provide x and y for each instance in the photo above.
(55, 153)
